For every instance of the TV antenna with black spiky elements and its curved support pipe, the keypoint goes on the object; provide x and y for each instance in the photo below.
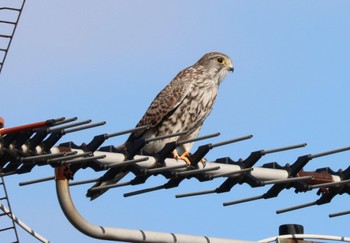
(26, 147)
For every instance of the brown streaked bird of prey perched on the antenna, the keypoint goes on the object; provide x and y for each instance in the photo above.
(183, 105)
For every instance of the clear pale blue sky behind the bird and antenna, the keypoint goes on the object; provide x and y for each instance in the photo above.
(106, 61)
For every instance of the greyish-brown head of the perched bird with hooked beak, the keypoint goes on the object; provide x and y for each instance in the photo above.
(217, 64)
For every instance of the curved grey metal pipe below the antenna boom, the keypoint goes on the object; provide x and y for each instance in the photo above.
(120, 234)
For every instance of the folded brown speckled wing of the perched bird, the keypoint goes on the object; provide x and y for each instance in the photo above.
(166, 101)
